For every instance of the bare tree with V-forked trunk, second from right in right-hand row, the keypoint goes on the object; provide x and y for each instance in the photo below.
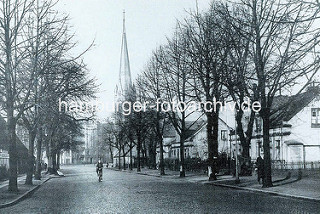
(239, 75)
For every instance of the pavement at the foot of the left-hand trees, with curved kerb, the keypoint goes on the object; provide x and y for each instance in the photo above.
(8, 199)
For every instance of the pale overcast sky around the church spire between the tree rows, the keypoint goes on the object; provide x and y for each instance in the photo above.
(148, 22)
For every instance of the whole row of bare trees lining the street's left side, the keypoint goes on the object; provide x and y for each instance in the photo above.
(37, 70)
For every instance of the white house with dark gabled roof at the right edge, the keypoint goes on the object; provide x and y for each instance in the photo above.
(295, 130)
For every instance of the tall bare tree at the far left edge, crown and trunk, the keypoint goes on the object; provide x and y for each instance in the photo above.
(16, 79)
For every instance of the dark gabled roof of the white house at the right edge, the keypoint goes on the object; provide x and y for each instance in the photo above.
(286, 107)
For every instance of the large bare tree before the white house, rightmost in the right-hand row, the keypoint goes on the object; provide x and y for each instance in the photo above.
(284, 52)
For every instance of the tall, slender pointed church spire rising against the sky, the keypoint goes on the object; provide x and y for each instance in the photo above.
(124, 75)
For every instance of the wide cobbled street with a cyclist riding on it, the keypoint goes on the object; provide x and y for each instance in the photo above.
(121, 192)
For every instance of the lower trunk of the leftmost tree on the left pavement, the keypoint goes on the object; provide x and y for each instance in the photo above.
(13, 157)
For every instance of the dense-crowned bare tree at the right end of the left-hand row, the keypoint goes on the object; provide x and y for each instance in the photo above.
(67, 83)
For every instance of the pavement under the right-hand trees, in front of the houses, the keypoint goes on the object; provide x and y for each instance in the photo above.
(308, 187)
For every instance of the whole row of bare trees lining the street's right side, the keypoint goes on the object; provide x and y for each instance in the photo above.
(241, 49)
